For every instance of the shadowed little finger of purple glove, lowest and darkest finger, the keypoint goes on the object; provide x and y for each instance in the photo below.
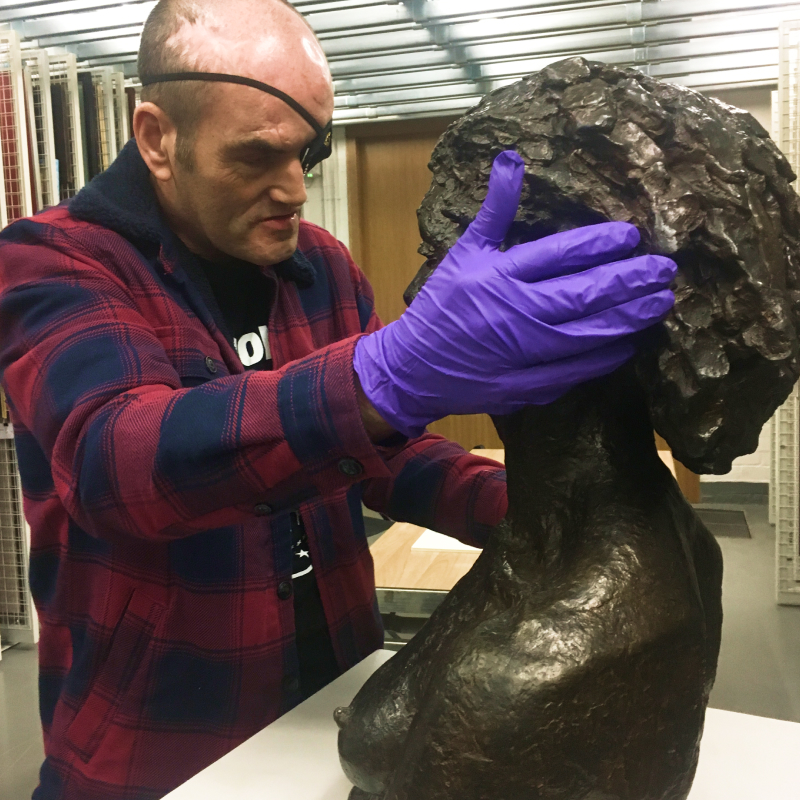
(545, 383)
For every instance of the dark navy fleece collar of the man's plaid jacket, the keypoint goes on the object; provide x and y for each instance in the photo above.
(122, 200)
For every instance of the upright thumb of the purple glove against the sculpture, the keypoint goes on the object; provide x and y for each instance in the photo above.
(501, 204)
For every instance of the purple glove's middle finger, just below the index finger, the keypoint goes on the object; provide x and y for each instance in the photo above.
(572, 297)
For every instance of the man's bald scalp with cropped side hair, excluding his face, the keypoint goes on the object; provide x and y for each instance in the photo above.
(267, 40)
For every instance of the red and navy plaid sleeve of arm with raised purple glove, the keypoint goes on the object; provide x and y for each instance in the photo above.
(133, 453)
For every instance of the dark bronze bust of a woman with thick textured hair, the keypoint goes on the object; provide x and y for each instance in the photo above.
(575, 660)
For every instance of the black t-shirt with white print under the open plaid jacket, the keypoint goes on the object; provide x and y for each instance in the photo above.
(244, 297)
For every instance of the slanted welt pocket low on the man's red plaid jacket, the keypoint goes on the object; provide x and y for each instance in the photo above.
(125, 655)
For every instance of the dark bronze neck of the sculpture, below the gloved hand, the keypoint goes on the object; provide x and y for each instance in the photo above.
(570, 464)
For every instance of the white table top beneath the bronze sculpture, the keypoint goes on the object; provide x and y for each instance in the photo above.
(742, 757)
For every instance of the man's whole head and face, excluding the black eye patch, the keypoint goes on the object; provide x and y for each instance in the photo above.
(226, 159)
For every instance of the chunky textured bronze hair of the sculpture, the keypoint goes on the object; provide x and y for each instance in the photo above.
(704, 184)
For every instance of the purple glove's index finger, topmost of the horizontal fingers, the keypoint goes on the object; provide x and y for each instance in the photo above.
(571, 251)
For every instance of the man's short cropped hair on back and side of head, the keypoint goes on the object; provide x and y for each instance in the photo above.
(160, 54)
